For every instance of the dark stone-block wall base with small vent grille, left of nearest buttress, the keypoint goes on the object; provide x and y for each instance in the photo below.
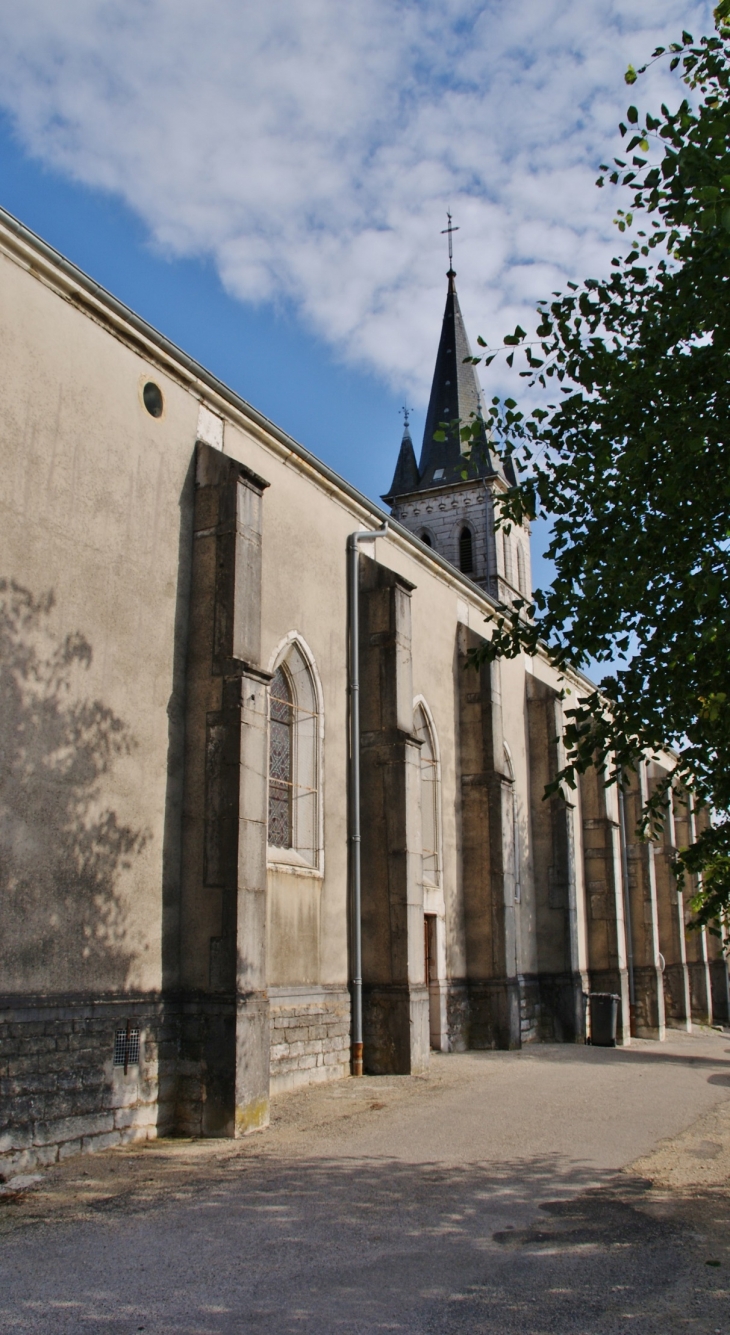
(61, 1091)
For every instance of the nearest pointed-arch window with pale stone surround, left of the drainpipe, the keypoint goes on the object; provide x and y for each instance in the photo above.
(294, 762)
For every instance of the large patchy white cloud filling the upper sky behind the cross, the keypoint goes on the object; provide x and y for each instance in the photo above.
(312, 148)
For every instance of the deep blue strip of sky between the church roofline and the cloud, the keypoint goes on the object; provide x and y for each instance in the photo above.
(349, 417)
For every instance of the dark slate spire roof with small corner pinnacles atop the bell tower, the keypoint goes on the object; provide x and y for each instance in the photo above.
(456, 396)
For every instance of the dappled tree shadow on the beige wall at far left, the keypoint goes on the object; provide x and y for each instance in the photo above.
(62, 848)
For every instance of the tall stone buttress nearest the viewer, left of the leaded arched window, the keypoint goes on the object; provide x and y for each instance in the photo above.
(225, 1069)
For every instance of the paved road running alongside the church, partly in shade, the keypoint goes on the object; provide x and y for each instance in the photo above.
(484, 1198)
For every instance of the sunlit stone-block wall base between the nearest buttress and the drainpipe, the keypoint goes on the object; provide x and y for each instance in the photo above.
(310, 1037)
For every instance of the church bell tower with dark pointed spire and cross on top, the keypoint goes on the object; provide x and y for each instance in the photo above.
(449, 500)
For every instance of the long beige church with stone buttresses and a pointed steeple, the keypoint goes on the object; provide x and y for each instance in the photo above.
(261, 824)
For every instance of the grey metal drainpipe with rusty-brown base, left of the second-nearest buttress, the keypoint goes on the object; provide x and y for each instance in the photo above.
(353, 580)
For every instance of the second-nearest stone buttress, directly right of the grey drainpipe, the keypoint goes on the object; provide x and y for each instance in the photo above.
(396, 997)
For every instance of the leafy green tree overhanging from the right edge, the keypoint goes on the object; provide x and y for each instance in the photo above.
(633, 465)
